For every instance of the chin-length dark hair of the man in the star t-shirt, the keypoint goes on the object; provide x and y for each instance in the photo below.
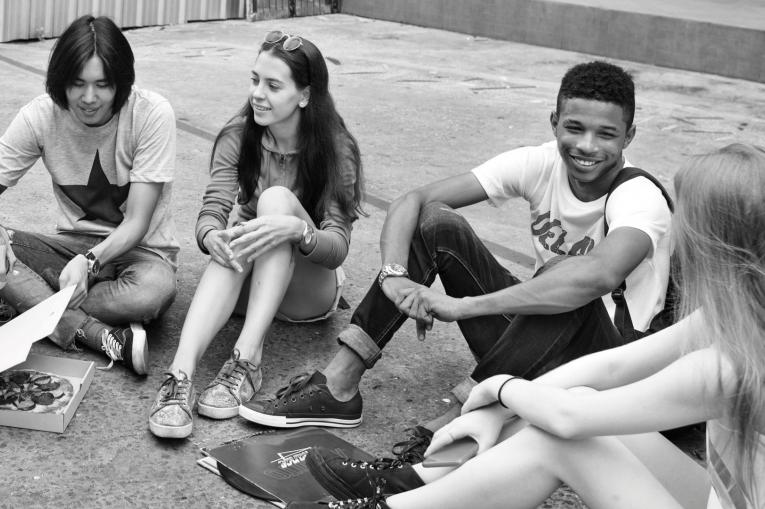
(86, 37)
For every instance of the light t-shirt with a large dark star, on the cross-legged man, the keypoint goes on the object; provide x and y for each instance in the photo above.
(92, 167)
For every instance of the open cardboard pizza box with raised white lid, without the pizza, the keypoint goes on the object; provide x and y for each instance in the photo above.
(16, 339)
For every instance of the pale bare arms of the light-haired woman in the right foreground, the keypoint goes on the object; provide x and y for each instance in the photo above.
(548, 403)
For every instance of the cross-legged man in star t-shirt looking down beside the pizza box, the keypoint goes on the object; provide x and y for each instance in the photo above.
(110, 151)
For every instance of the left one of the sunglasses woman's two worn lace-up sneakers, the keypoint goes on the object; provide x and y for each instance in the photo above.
(170, 415)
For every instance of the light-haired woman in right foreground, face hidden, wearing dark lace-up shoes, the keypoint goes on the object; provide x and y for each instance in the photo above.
(590, 421)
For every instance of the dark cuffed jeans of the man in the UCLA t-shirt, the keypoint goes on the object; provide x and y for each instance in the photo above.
(444, 244)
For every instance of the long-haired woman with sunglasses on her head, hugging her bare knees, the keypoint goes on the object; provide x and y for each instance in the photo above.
(294, 169)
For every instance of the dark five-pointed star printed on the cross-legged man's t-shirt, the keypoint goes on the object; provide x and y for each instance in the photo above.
(99, 199)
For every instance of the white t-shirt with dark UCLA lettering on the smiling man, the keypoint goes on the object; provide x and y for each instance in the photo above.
(561, 224)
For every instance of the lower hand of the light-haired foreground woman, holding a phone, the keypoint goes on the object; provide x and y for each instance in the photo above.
(483, 426)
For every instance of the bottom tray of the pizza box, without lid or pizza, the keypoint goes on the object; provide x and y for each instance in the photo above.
(79, 373)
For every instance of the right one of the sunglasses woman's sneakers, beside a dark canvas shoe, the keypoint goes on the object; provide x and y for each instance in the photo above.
(236, 383)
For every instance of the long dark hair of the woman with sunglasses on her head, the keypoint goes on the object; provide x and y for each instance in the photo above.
(320, 132)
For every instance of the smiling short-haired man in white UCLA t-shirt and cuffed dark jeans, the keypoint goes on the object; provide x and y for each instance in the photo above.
(520, 328)
